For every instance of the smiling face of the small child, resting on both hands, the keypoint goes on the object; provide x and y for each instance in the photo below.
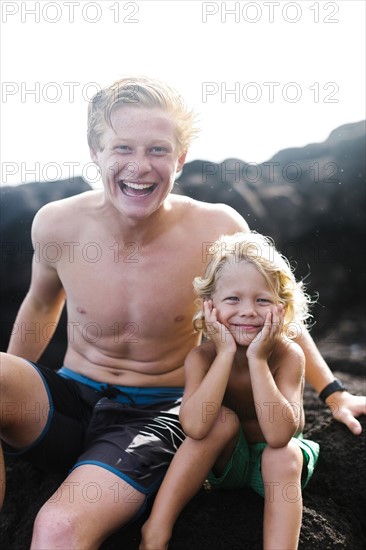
(242, 300)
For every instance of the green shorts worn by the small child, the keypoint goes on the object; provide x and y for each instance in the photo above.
(244, 466)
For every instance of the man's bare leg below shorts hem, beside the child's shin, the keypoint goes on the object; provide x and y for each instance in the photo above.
(91, 504)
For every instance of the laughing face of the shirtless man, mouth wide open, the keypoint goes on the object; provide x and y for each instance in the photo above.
(139, 159)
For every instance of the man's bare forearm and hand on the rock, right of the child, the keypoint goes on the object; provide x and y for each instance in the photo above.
(345, 407)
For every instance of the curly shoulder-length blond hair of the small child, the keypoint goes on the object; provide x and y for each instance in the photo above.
(260, 251)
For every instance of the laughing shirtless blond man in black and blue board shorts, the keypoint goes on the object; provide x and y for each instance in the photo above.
(111, 413)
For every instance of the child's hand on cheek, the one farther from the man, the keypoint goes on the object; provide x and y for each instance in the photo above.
(262, 345)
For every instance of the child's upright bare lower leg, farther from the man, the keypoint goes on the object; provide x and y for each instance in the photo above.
(281, 473)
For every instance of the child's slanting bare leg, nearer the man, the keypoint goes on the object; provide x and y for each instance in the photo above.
(185, 476)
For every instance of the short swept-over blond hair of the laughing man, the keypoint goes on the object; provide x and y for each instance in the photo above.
(140, 91)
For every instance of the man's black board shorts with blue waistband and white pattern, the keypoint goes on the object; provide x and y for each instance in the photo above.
(131, 432)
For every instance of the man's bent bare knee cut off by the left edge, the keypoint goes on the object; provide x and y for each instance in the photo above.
(24, 406)
